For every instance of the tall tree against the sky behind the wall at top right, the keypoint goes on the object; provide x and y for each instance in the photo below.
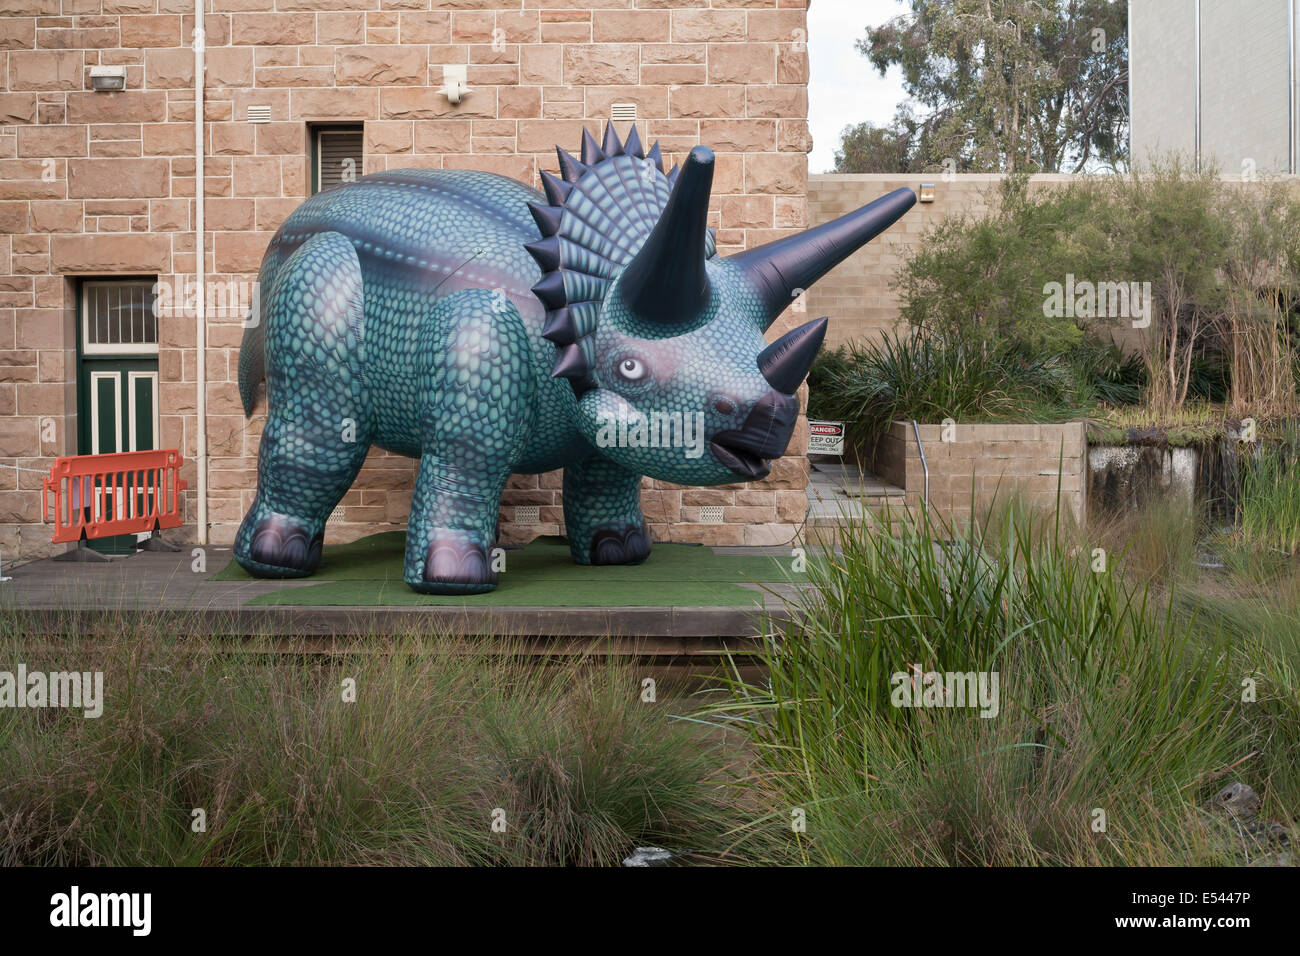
(1009, 85)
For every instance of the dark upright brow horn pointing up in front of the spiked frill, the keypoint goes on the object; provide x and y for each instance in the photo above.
(666, 282)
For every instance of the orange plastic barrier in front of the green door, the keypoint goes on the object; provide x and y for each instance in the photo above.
(99, 496)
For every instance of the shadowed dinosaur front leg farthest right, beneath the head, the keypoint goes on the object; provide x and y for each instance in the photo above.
(603, 514)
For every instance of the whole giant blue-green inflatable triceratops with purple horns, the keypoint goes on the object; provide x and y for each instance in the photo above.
(467, 321)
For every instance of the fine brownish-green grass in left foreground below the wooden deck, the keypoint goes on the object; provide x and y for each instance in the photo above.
(288, 771)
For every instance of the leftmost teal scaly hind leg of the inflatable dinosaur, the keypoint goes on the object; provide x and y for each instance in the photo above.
(318, 432)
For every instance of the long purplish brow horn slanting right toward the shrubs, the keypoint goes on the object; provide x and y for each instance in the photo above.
(783, 269)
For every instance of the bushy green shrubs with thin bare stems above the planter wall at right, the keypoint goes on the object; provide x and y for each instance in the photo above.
(1219, 261)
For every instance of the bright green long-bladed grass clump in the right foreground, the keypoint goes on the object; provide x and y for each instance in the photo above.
(1113, 717)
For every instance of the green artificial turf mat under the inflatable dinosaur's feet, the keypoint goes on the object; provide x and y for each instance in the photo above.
(369, 573)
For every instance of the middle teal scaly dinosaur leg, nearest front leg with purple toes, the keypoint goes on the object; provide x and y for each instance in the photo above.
(476, 414)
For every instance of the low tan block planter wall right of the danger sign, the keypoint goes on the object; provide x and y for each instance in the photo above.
(1033, 462)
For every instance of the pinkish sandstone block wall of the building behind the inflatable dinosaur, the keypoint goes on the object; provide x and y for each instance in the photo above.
(103, 185)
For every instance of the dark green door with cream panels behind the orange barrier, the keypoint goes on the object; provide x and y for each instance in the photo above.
(118, 382)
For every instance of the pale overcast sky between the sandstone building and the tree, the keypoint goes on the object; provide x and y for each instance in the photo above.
(844, 88)
